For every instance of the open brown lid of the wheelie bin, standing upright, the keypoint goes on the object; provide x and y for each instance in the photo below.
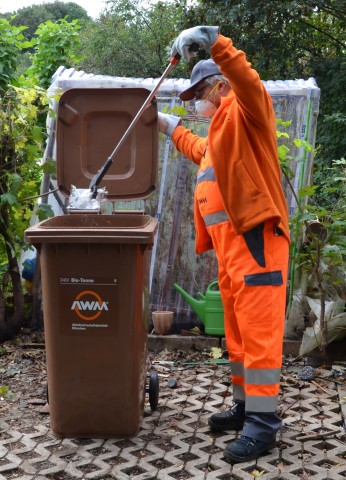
(90, 124)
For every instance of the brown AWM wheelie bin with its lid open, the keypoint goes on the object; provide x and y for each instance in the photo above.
(95, 269)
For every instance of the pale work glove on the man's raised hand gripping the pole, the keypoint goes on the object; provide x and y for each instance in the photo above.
(185, 43)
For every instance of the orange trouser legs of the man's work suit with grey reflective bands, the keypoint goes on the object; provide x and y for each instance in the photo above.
(252, 281)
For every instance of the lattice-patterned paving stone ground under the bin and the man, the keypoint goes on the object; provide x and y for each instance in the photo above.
(175, 442)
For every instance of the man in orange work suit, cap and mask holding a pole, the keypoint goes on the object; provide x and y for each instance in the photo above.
(241, 213)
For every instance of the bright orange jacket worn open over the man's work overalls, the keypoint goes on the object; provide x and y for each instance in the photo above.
(243, 149)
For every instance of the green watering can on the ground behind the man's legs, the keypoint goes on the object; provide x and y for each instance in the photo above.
(209, 309)
